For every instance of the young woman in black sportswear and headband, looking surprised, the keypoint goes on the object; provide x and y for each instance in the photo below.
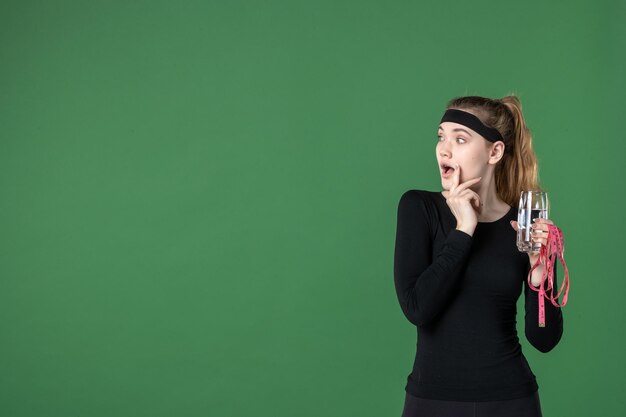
(458, 273)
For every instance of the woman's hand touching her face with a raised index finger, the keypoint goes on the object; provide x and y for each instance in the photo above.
(460, 198)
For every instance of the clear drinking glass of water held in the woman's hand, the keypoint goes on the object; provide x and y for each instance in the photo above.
(532, 204)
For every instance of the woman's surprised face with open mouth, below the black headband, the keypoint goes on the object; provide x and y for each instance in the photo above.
(458, 144)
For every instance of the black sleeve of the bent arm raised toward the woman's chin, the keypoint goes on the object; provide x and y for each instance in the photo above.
(423, 285)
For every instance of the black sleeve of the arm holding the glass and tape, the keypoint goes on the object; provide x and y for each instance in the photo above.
(546, 338)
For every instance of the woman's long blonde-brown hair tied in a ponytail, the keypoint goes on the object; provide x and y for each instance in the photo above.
(517, 170)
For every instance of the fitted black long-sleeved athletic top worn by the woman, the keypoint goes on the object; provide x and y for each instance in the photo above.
(461, 292)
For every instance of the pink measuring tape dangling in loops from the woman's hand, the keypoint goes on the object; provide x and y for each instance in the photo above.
(555, 247)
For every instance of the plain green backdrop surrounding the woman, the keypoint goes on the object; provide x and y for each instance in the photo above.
(198, 199)
